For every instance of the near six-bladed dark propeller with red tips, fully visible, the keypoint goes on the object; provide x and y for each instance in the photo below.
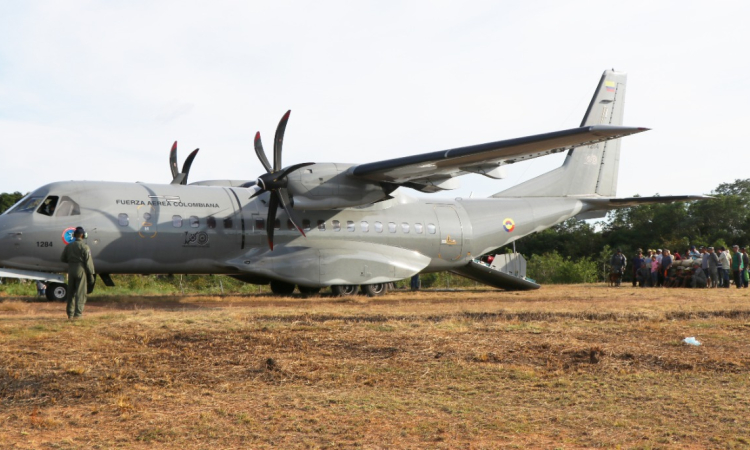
(275, 180)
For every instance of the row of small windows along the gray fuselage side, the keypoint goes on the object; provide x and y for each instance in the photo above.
(322, 225)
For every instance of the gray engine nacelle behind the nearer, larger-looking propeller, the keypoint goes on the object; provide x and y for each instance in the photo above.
(327, 186)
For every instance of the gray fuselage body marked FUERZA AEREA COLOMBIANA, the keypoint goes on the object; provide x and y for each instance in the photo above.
(162, 228)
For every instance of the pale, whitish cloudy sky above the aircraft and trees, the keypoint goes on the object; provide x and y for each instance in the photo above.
(96, 90)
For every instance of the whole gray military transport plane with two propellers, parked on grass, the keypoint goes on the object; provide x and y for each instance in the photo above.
(315, 225)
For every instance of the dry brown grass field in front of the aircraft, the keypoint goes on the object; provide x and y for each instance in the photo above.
(562, 367)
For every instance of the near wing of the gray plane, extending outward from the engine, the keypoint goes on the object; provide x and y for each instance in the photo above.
(429, 172)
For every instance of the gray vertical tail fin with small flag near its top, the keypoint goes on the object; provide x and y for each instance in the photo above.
(587, 170)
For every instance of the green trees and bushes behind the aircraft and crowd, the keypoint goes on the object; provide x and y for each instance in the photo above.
(574, 251)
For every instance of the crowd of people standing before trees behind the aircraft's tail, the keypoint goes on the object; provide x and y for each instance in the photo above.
(702, 267)
